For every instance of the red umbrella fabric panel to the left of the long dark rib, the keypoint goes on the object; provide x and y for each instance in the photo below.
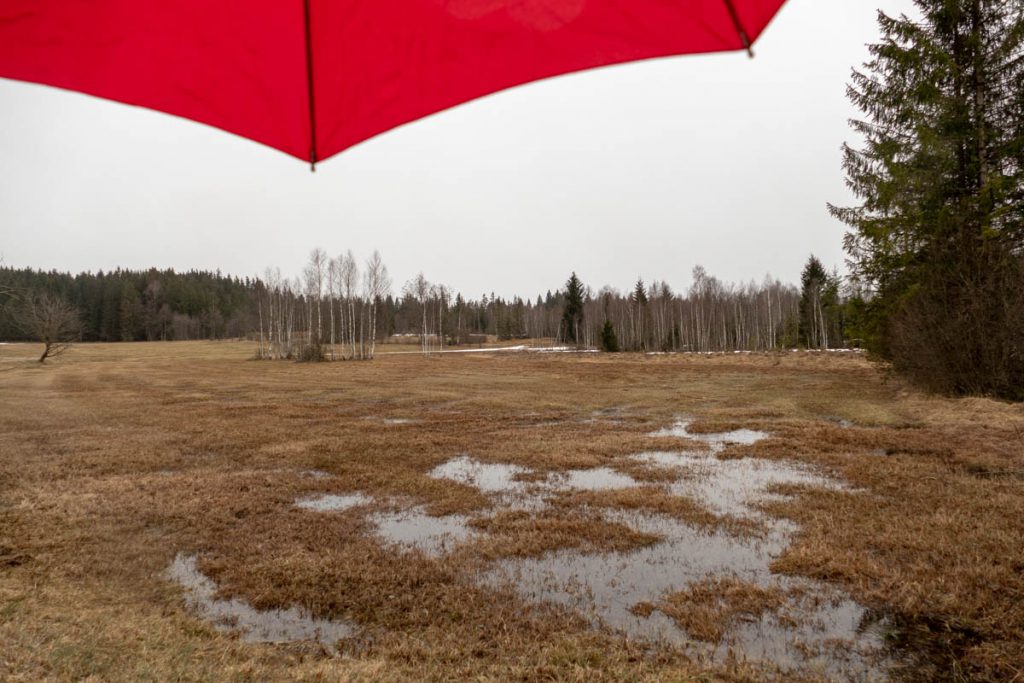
(237, 65)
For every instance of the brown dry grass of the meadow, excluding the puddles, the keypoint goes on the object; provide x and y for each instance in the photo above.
(117, 457)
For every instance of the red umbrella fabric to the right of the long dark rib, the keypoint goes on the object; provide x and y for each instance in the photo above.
(378, 65)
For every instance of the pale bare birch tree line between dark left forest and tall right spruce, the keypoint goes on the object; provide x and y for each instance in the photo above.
(339, 311)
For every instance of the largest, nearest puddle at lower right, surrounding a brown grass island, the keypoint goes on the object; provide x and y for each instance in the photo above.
(606, 587)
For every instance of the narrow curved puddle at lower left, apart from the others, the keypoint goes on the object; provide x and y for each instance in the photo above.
(255, 626)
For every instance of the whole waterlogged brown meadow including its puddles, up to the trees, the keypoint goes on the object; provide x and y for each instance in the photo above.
(494, 510)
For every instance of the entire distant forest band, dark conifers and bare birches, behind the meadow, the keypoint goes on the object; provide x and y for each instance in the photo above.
(340, 310)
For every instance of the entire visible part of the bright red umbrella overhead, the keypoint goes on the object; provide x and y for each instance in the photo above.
(315, 77)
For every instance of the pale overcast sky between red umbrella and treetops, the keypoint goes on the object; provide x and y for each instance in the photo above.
(643, 169)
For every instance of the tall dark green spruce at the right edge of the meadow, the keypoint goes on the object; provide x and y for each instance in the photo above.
(940, 236)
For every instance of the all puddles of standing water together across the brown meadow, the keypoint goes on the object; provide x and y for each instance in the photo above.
(815, 629)
